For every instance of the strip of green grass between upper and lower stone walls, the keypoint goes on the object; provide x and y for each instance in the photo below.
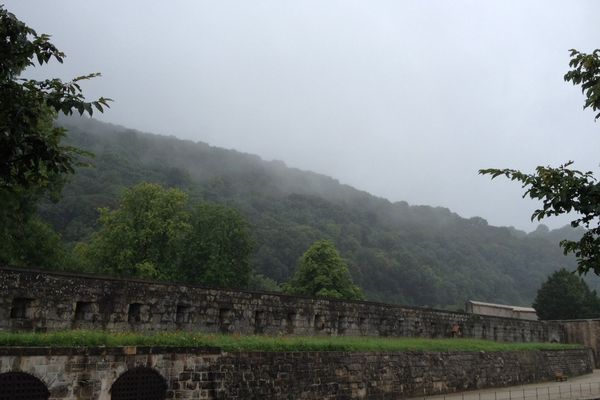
(265, 343)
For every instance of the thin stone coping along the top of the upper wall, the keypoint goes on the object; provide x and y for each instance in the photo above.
(88, 276)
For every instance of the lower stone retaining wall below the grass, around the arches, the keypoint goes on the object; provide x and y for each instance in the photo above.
(90, 373)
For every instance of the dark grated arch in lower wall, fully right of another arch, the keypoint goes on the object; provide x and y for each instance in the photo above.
(140, 383)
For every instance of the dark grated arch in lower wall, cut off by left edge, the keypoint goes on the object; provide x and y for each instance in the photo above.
(22, 386)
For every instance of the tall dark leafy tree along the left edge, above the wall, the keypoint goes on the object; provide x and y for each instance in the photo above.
(32, 160)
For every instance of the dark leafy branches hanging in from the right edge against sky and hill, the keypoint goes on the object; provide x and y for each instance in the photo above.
(565, 190)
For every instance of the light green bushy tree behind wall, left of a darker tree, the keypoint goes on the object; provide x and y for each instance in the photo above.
(143, 237)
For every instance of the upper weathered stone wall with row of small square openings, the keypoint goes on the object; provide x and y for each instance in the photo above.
(42, 301)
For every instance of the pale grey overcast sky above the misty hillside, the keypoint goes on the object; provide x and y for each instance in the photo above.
(404, 99)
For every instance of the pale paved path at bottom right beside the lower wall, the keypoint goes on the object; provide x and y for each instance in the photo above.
(581, 387)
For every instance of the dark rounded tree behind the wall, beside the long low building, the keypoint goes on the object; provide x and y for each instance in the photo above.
(566, 296)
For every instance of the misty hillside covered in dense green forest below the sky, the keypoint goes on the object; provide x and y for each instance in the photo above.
(398, 253)
